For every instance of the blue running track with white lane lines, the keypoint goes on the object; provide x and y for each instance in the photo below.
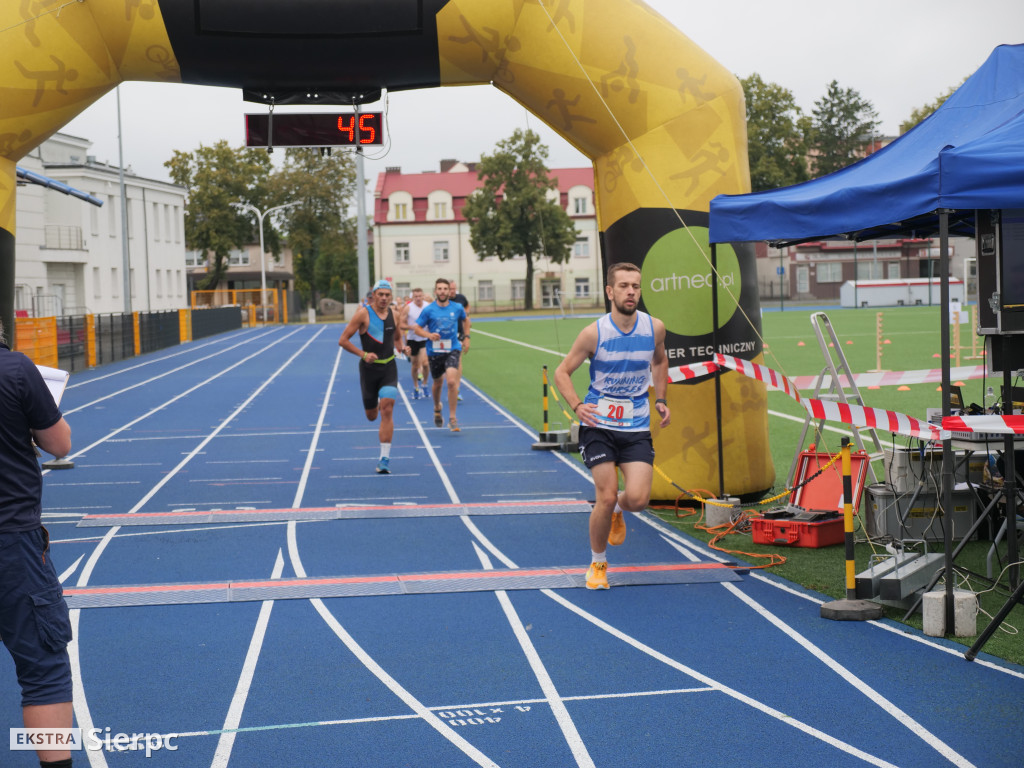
(247, 591)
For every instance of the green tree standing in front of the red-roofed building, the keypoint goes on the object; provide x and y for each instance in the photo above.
(511, 216)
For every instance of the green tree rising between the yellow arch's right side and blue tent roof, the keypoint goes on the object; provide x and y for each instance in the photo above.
(777, 136)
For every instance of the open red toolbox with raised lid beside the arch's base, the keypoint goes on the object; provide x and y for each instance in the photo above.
(820, 503)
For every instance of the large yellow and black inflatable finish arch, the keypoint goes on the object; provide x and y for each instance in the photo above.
(662, 121)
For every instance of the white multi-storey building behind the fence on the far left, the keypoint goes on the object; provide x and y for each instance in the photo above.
(69, 258)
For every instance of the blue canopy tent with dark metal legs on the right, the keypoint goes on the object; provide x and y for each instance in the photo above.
(967, 156)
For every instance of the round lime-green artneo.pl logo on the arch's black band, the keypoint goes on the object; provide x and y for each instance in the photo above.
(677, 282)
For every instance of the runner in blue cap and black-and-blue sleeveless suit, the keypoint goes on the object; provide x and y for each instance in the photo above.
(380, 337)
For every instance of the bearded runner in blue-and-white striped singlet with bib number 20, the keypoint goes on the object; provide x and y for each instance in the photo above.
(627, 356)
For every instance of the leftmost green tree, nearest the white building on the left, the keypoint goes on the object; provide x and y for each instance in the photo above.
(216, 177)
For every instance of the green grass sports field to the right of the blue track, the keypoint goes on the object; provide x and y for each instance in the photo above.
(508, 357)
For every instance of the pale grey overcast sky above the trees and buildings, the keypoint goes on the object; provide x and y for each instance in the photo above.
(899, 55)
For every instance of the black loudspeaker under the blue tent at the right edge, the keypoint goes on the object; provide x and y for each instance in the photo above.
(1000, 243)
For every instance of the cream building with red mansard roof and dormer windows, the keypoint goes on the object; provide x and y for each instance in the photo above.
(420, 235)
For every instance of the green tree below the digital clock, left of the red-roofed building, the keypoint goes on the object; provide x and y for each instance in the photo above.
(322, 237)
